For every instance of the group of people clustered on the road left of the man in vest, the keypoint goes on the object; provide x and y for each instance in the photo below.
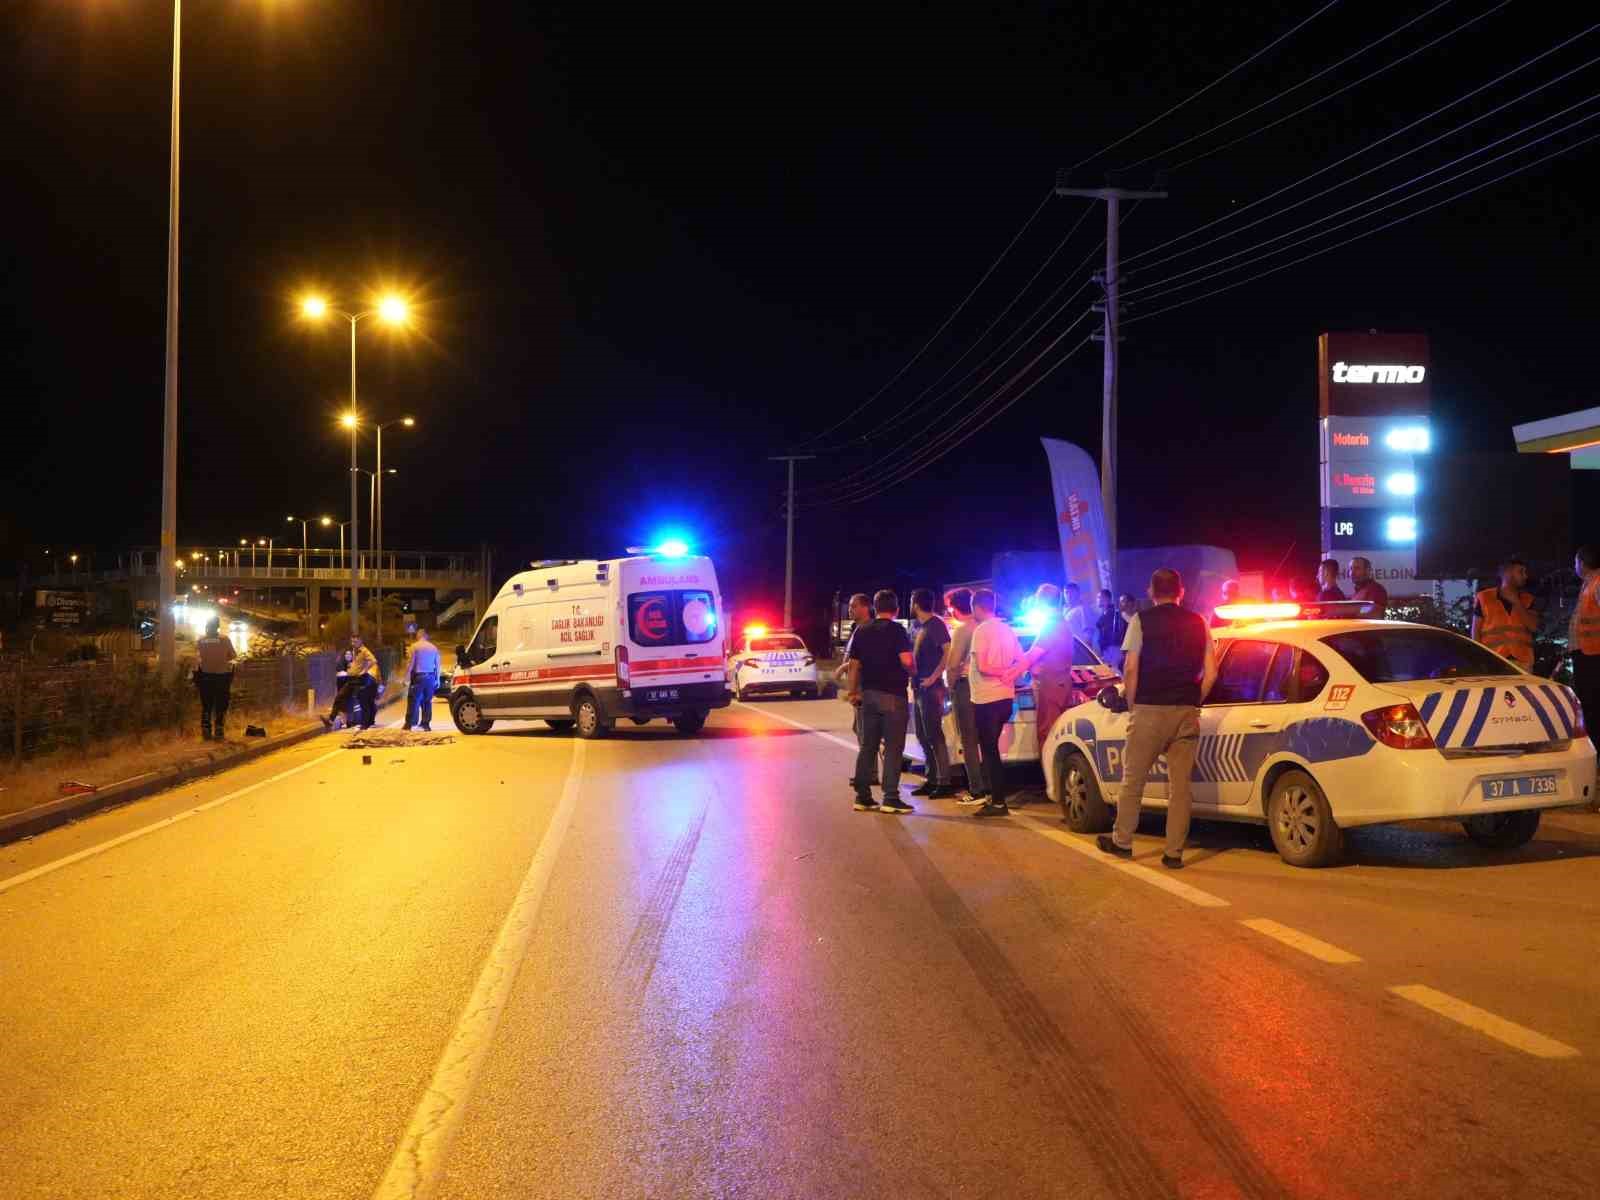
(972, 660)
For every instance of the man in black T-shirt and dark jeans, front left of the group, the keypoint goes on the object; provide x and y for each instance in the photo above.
(881, 665)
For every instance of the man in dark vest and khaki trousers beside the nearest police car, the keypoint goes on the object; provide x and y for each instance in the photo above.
(1169, 668)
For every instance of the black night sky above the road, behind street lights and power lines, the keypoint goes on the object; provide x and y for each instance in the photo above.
(654, 246)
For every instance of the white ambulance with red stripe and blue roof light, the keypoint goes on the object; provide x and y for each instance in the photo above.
(583, 644)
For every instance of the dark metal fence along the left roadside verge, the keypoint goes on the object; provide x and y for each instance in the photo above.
(57, 706)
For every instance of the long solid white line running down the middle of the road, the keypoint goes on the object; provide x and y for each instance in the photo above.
(420, 1161)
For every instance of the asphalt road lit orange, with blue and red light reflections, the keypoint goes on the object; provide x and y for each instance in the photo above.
(658, 967)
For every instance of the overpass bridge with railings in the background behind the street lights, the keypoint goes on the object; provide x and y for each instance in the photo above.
(454, 583)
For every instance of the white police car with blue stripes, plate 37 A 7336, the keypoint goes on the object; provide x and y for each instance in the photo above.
(1321, 722)
